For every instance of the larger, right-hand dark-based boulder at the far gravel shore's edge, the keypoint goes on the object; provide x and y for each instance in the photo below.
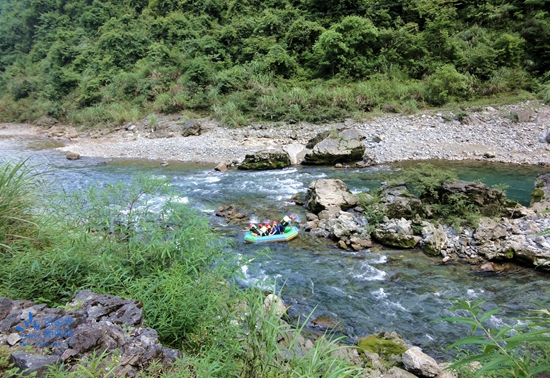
(346, 146)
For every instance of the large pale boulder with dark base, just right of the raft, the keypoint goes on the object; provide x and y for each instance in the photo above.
(327, 193)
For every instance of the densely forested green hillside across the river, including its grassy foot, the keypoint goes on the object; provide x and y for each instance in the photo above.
(91, 61)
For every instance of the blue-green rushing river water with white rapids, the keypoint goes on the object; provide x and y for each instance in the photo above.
(364, 292)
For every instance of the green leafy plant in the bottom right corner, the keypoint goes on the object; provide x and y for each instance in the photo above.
(521, 351)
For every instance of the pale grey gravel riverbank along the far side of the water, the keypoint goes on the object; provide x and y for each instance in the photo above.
(508, 134)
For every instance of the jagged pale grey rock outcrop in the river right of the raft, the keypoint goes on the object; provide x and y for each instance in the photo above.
(522, 239)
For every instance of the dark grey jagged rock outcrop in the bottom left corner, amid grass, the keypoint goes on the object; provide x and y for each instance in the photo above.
(92, 323)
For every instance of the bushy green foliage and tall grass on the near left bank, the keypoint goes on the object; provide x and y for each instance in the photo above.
(136, 240)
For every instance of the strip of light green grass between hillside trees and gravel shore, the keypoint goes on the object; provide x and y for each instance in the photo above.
(315, 102)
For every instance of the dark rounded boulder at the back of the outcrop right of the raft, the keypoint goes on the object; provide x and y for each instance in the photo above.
(487, 200)
